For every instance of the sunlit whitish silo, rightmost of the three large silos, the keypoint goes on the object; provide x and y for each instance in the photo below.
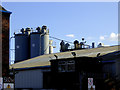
(44, 40)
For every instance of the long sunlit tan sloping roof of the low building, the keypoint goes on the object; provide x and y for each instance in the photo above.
(44, 59)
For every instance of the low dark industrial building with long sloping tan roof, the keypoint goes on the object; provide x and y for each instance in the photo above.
(69, 69)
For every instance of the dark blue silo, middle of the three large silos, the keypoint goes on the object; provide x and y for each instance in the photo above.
(35, 43)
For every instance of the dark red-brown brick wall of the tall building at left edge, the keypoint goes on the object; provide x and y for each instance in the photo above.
(5, 44)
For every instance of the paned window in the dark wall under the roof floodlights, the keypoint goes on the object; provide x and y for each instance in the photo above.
(66, 66)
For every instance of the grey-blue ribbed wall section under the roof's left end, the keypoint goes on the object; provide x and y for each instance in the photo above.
(29, 79)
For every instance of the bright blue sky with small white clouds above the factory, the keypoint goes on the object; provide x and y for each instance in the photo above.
(95, 21)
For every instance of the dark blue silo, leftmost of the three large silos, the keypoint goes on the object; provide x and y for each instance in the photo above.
(21, 47)
